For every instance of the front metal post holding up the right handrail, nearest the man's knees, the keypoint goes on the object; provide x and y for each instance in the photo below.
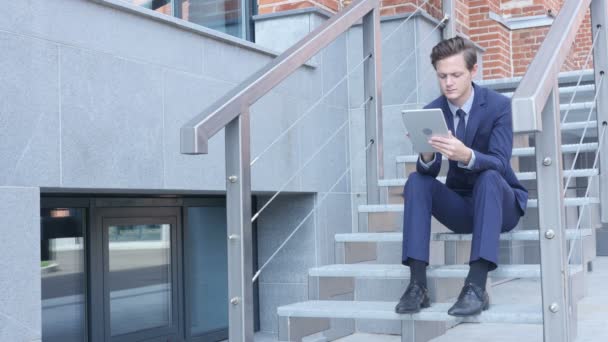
(554, 280)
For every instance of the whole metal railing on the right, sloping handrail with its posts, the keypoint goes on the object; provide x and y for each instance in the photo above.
(536, 109)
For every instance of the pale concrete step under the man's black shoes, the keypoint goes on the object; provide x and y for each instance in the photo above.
(498, 313)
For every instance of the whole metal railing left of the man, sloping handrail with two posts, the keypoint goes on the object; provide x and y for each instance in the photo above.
(232, 112)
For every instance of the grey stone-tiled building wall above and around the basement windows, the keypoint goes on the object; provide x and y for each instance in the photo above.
(93, 100)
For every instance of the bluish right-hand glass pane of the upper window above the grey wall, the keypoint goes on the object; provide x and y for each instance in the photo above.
(223, 15)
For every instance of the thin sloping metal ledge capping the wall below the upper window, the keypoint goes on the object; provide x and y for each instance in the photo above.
(190, 27)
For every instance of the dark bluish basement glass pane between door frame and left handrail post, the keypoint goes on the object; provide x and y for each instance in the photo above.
(207, 254)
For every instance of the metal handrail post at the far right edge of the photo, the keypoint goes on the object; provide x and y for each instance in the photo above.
(599, 13)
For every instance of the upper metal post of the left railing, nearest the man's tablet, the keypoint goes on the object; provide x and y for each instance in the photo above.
(372, 84)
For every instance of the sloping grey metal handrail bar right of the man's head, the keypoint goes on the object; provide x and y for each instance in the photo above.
(535, 87)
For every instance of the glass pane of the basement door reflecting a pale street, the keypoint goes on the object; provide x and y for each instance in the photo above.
(139, 277)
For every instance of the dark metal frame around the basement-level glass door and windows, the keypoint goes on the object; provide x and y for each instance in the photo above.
(93, 204)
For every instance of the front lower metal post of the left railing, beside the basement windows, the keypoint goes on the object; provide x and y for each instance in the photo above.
(238, 208)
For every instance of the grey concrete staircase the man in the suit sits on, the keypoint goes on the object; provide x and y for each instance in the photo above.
(360, 291)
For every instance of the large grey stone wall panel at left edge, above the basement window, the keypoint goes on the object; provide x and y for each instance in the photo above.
(29, 111)
